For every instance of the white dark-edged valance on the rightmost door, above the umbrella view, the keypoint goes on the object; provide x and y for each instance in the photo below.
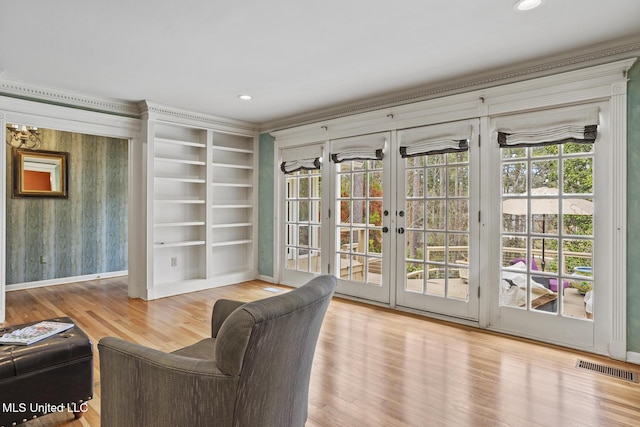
(580, 126)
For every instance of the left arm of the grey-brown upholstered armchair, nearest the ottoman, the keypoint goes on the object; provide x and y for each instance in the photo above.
(143, 386)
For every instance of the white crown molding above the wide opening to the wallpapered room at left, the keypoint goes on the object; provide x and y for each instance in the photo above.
(30, 92)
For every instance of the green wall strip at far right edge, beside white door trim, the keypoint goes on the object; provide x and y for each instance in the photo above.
(633, 207)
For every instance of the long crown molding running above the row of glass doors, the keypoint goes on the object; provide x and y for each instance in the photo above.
(599, 54)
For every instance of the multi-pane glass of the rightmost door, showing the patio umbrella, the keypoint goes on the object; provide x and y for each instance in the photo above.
(547, 229)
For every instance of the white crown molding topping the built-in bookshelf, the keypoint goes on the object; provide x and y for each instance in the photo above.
(196, 119)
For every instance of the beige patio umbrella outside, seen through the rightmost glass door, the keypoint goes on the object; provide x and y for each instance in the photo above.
(541, 205)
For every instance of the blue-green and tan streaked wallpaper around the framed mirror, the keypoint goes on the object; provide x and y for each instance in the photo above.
(84, 234)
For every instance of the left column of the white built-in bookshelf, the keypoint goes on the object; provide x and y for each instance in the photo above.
(179, 208)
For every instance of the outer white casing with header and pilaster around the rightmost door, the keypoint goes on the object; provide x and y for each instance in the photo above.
(603, 84)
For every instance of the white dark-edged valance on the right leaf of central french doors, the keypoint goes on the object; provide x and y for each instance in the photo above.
(436, 139)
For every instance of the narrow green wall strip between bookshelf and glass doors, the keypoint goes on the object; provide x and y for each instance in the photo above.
(265, 205)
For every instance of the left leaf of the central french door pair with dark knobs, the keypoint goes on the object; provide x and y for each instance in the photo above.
(361, 218)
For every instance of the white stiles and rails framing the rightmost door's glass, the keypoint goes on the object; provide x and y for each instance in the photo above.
(556, 328)
